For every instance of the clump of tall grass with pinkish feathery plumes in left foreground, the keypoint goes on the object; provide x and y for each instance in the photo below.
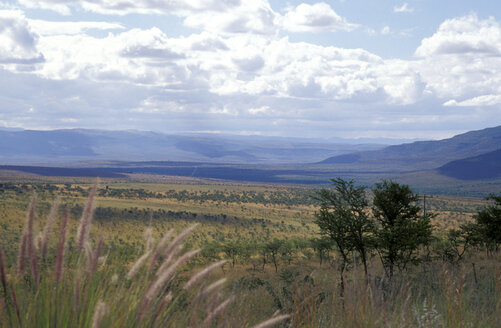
(78, 292)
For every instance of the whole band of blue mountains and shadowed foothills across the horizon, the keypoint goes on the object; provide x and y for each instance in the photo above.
(469, 156)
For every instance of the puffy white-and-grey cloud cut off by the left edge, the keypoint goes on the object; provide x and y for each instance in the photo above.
(18, 43)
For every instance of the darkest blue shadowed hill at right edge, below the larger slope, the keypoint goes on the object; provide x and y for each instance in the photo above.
(486, 166)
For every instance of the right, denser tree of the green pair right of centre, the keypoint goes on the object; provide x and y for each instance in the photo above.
(402, 229)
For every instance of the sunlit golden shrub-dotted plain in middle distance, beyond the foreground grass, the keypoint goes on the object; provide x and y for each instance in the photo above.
(258, 211)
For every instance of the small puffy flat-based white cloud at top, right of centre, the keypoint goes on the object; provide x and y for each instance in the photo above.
(314, 18)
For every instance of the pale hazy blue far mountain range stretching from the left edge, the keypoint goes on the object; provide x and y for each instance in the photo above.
(56, 146)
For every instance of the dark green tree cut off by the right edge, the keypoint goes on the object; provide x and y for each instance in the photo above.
(489, 223)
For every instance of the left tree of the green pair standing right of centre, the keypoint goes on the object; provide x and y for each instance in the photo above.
(343, 218)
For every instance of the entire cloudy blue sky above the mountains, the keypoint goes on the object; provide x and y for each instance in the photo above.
(342, 68)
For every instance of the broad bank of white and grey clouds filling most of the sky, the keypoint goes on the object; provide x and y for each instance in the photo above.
(239, 72)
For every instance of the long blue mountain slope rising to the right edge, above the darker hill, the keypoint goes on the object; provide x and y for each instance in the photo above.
(421, 154)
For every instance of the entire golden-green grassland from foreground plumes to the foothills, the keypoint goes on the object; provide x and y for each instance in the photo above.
(262, 239)
